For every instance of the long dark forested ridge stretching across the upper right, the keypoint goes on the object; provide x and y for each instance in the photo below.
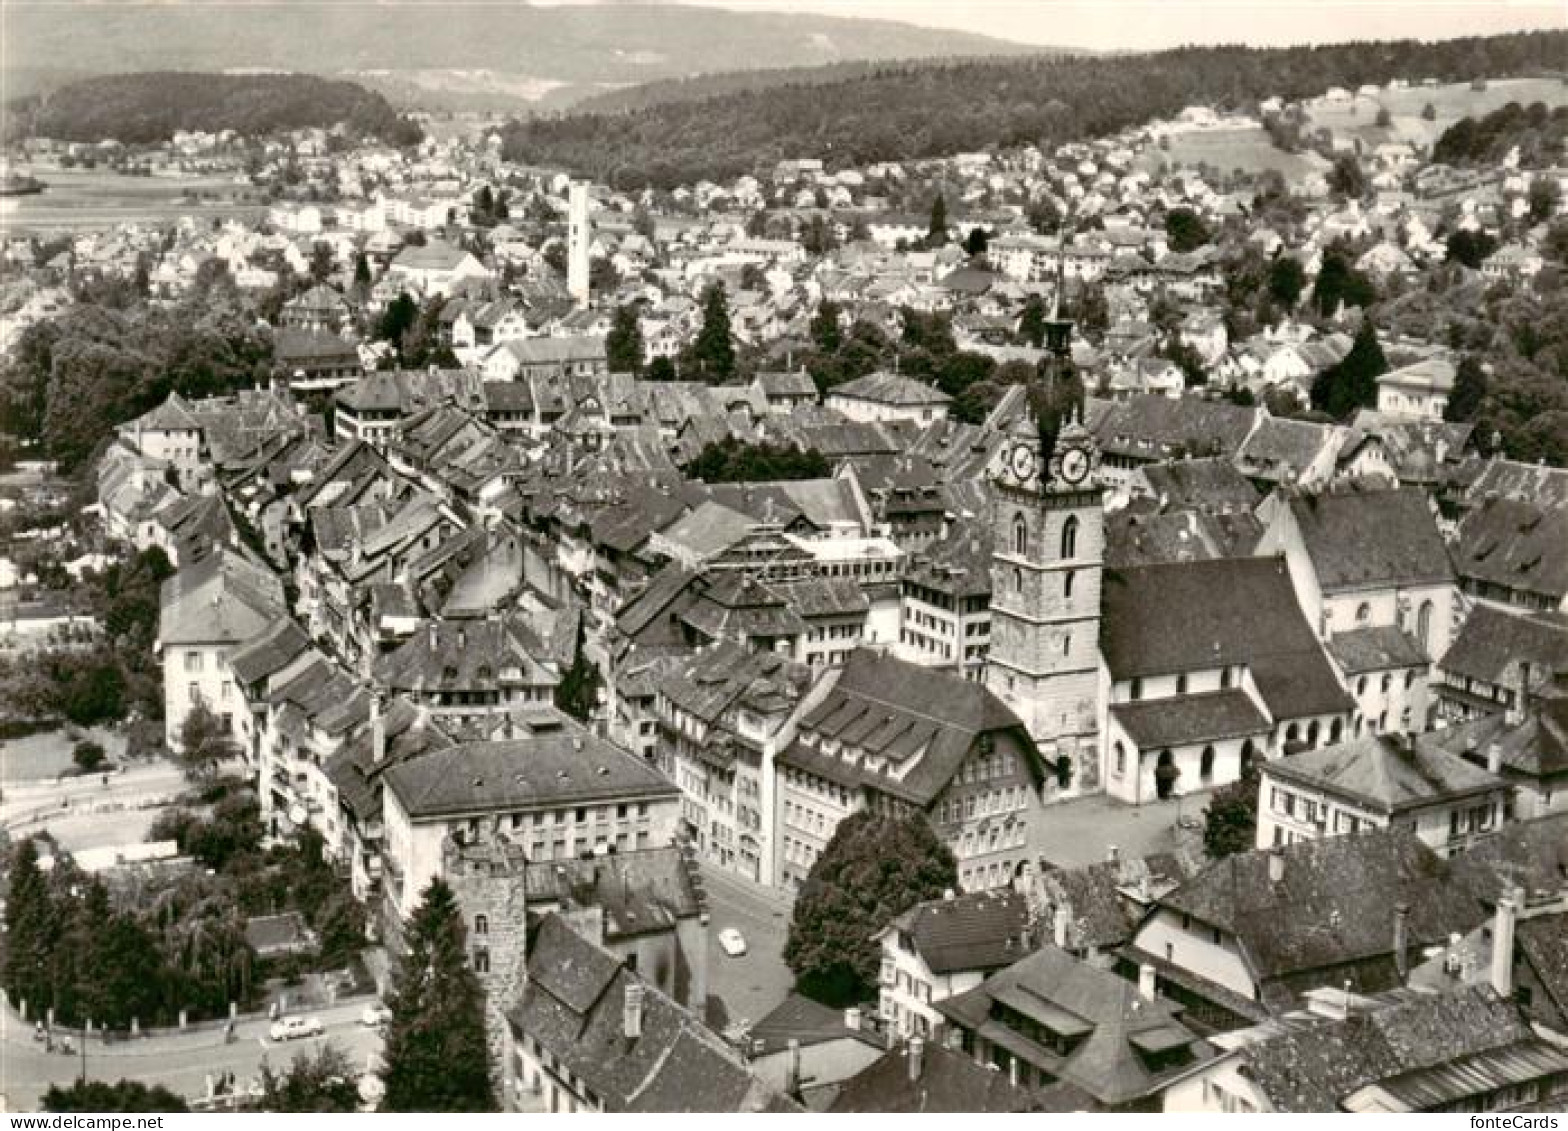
(906, 112)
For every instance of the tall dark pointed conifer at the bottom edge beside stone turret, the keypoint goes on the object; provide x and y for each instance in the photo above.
(435, 1052)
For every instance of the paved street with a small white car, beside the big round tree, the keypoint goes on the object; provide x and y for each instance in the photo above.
(753, 984)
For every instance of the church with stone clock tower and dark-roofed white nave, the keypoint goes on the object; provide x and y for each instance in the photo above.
(1144, 683)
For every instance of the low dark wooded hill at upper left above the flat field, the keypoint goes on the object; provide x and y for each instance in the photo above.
(153, 107)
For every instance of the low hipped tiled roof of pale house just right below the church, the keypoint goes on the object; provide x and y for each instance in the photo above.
(1387, 773)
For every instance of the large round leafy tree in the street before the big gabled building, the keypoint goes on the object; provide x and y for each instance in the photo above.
(873, 871)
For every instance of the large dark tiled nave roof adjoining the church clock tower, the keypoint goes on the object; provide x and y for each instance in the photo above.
(1199, 616)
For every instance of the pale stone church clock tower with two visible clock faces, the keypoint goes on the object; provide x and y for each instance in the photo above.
(1050, 537)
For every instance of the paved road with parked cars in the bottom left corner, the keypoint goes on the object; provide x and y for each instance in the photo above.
(180, 1063)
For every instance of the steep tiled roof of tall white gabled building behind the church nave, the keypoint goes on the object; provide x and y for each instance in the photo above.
(1368, 539)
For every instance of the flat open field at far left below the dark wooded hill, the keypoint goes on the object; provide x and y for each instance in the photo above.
(82, 200)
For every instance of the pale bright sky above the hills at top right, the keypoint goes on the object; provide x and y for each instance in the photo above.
(1155, 24)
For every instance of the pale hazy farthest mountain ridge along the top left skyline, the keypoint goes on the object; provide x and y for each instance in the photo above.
(532, 53)
